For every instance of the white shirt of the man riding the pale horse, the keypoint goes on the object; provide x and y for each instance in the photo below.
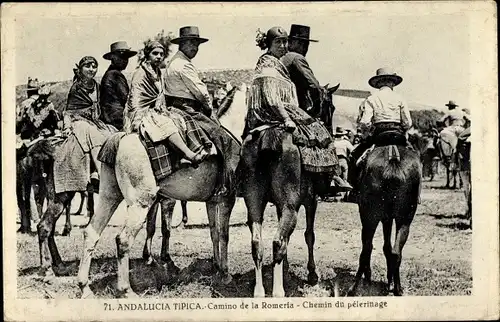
(182, 80)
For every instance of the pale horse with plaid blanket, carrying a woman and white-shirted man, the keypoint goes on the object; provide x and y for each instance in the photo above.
(131, 179)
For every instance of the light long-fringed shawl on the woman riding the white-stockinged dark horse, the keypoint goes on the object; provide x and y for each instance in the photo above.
(271, 88)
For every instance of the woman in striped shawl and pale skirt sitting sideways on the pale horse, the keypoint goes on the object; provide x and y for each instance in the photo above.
(147, 110)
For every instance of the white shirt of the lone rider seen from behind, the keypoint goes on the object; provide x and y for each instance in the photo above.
(384, 106)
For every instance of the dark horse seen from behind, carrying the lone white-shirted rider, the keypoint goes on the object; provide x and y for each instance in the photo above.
(390, 184)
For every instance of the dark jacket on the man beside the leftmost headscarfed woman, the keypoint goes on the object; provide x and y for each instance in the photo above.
(114, 93)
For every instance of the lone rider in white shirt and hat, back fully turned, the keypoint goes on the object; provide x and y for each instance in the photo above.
(382, 111)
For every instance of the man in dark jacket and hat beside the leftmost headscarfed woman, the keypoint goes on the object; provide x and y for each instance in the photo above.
(114, 87)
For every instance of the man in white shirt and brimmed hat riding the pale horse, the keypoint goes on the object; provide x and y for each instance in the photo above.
(185, 91)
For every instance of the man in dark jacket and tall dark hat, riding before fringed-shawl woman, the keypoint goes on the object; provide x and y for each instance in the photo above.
(306, 84)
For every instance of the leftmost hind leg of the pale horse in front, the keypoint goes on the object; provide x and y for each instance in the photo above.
(109, 200)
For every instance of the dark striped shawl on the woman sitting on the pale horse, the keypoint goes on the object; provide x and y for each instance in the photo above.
(146, 91)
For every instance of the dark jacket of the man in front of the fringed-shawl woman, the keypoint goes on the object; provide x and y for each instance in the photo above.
(308, 88)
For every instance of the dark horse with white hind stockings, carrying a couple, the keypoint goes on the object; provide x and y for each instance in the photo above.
(277, 177)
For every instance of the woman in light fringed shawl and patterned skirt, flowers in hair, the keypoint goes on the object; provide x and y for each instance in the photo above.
(273, 101)
